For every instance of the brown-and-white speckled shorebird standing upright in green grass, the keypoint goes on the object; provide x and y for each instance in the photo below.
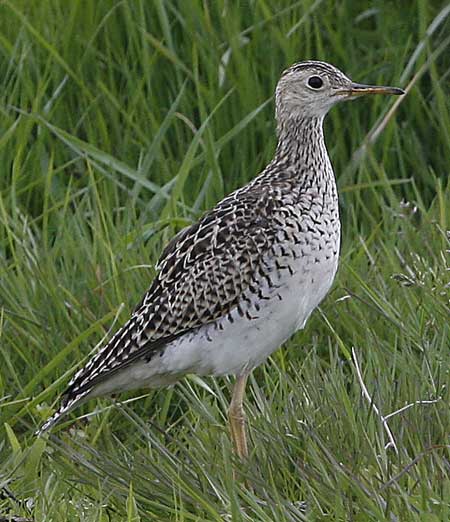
(235, 285)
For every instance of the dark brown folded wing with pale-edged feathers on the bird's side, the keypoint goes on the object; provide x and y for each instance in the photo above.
(203, 274)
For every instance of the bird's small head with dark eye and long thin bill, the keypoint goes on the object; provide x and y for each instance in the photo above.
(311, 88)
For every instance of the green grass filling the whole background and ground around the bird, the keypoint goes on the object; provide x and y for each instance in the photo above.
(121, 122)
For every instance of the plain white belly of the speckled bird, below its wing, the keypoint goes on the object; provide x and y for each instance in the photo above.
(232, 346)
